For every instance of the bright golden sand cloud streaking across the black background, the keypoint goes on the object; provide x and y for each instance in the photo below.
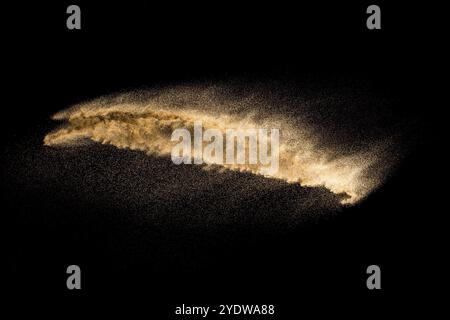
(146, 124)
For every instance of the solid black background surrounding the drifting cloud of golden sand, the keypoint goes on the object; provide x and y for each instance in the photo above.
(319, 268)
